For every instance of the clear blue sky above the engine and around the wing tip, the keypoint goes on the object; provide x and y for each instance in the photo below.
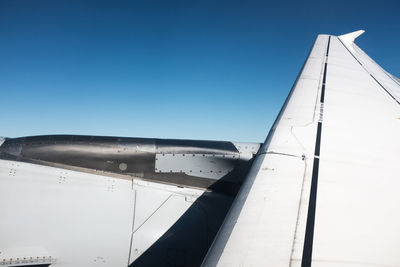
(169, 69)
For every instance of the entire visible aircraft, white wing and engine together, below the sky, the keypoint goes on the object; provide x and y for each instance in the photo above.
(322, 190)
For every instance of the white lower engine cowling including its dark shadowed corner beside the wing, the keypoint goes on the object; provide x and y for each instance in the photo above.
(82, 219)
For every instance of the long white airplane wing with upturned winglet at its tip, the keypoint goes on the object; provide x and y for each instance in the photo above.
(324, 188)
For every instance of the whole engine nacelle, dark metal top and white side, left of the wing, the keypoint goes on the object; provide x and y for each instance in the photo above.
(72, 201)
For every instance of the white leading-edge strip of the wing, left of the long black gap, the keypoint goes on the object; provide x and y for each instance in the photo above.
(260, 228)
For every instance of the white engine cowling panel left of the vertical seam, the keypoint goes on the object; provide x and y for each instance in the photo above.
(79, 219)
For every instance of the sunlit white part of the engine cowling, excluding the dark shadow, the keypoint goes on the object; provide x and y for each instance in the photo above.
(78, 219)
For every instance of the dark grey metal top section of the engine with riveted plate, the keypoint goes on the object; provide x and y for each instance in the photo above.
(217, 165)
